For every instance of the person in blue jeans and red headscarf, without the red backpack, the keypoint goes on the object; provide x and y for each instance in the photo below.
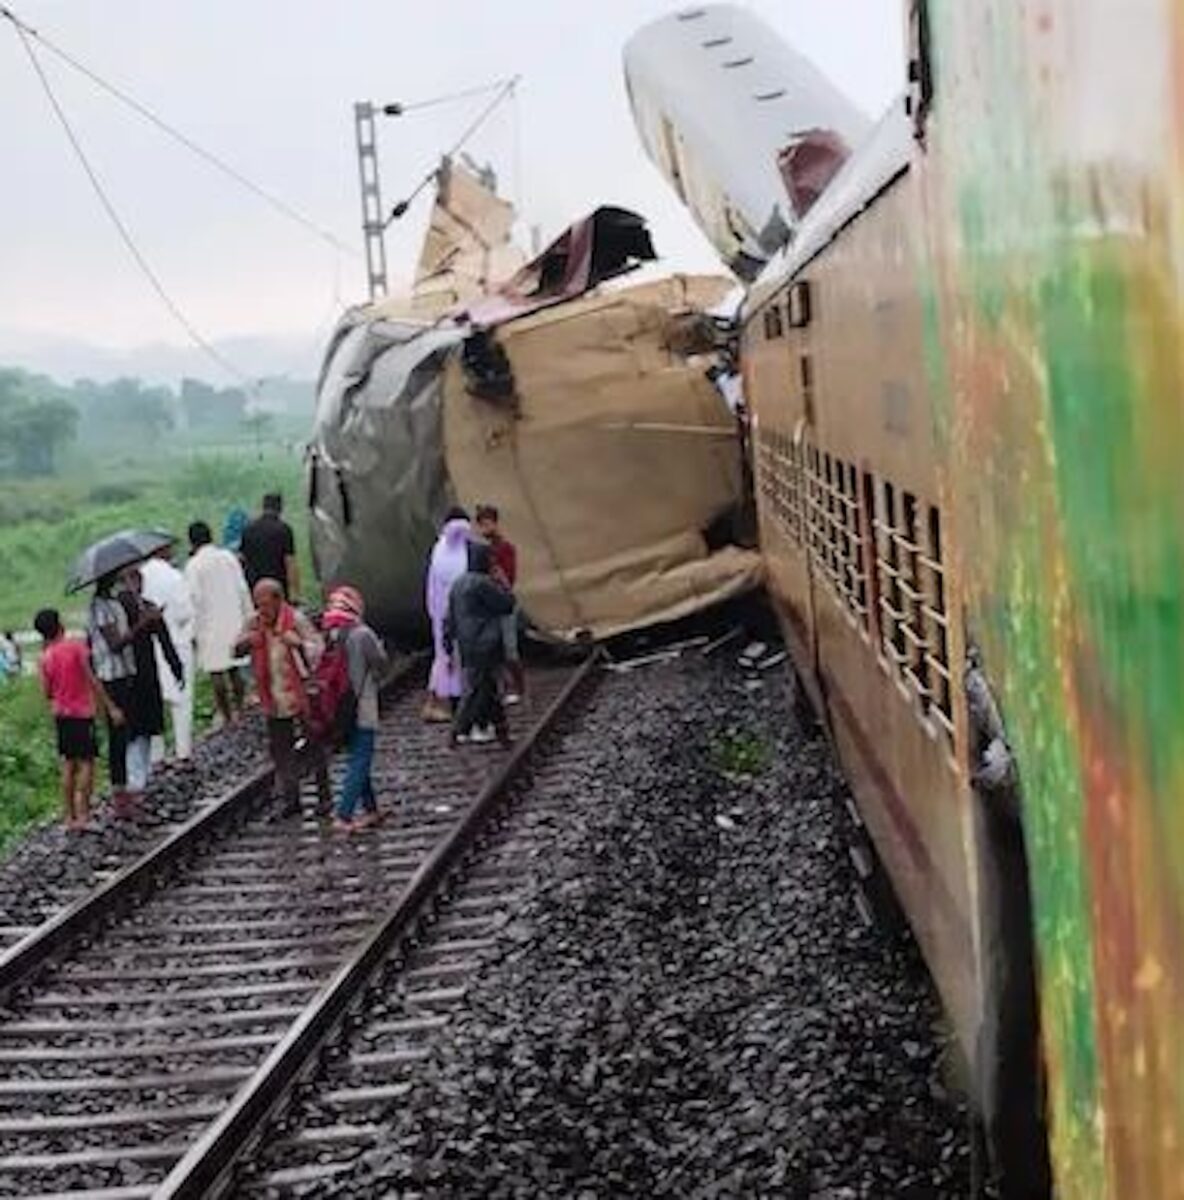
(369, 664)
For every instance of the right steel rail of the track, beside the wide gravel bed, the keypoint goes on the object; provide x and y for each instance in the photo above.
(206, 1169)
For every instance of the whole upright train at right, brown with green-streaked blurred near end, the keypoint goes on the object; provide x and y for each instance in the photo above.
(965, 376)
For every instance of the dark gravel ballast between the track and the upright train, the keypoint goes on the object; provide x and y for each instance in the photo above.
(688, 1004)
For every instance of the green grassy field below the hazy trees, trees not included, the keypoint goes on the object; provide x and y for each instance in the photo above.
(44, 526)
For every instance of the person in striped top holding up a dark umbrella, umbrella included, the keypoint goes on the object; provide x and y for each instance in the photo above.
(112, 637)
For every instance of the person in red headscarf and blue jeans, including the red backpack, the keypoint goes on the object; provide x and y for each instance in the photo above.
(348, 677)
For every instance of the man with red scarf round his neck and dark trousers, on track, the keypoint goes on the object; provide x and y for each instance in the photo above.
(285, 649)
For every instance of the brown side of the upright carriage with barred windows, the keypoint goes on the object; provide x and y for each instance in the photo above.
(854, 529)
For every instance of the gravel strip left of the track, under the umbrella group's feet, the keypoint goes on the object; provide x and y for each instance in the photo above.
(51, 868)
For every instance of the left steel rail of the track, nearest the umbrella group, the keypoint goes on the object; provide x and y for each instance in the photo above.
(89, 913)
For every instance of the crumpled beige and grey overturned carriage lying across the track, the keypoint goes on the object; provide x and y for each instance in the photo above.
(588, 422)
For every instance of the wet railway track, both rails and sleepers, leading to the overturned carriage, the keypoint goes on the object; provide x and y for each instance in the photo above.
(152, 1029)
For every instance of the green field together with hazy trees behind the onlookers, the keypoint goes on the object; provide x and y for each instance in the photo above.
(85, 460)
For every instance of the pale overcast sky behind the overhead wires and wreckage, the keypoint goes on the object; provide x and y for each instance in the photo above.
(269, 85)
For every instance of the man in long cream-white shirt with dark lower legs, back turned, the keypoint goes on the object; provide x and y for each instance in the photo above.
(221, 608)
